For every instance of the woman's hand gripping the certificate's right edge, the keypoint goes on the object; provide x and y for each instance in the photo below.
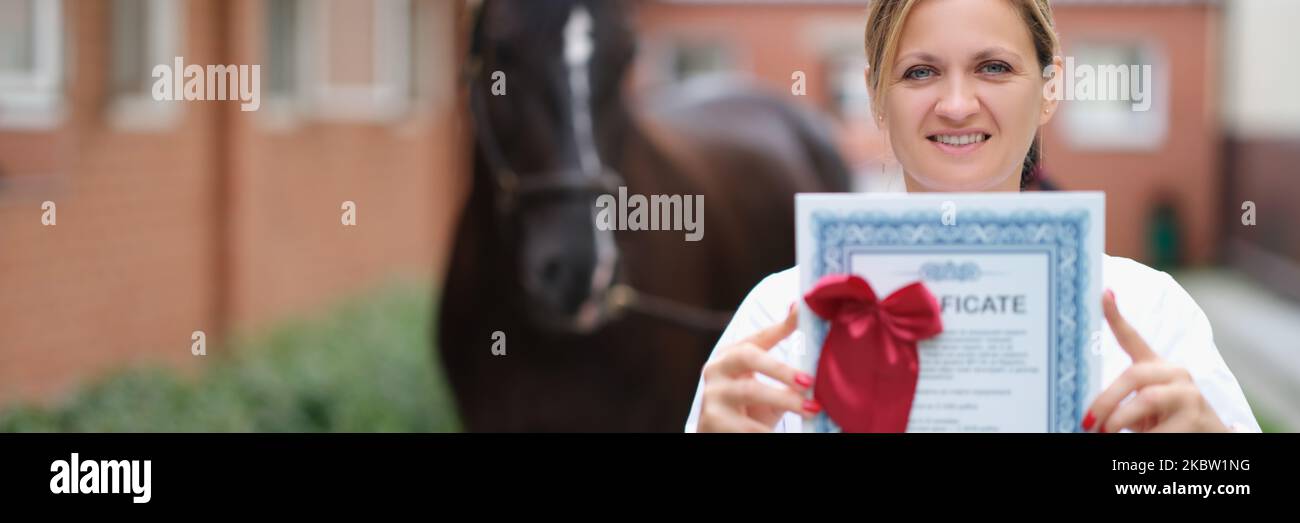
(1167, 399)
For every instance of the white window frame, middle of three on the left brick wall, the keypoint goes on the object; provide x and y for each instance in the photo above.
(140, 111)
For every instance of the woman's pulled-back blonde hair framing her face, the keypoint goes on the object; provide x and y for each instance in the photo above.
(885, 29)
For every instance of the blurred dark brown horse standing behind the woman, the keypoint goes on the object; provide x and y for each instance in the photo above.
(604, 330)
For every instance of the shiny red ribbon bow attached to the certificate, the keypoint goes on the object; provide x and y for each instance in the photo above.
(866, 377)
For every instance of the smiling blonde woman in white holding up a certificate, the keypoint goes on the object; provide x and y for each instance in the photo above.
(959, 89)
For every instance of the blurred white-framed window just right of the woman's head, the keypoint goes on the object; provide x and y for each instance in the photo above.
(1116, 123)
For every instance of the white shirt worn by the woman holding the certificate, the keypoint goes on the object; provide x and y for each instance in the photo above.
(1159, 309)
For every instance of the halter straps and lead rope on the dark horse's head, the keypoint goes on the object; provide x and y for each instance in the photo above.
(513, 189)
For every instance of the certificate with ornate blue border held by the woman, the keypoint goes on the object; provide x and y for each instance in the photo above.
(1019, 282)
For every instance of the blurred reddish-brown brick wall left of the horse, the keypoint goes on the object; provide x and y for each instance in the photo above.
(215, 223)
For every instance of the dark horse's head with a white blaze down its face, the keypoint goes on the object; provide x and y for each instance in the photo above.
(544, 76)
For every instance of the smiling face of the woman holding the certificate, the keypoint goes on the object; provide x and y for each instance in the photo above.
(965, 97)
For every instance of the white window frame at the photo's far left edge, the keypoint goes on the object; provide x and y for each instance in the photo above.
(34, 101)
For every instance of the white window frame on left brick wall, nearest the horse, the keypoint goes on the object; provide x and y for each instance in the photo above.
(388, 97)
